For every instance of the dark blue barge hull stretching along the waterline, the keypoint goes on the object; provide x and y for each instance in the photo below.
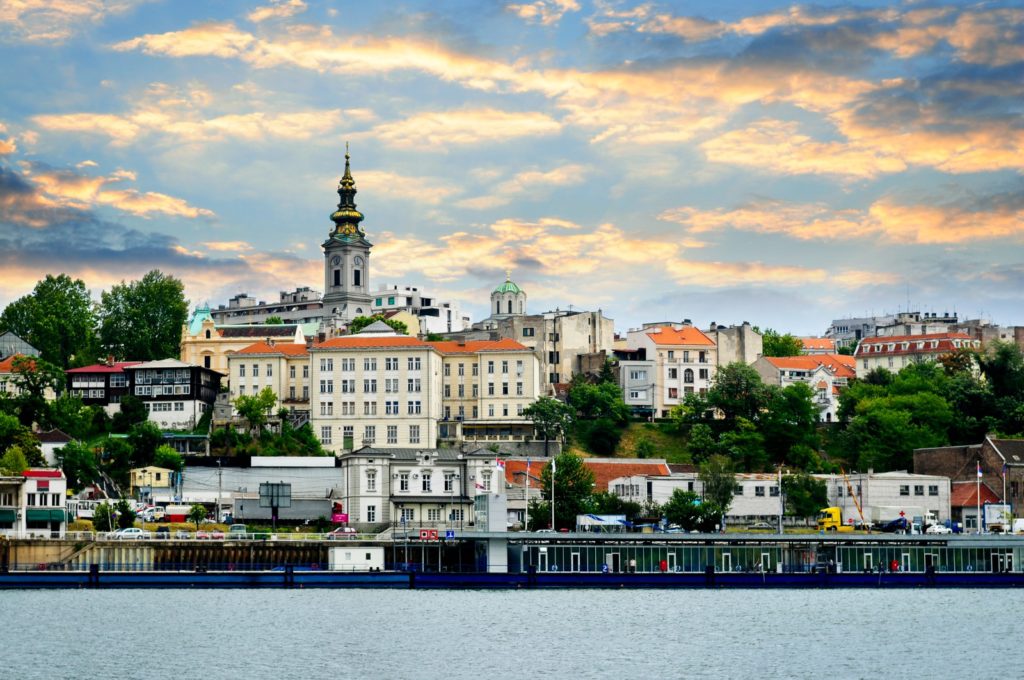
(451, 581)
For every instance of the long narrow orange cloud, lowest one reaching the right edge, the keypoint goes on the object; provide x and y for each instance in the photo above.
(994, 218)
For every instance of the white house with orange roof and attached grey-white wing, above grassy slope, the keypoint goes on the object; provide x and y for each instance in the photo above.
(672, 361)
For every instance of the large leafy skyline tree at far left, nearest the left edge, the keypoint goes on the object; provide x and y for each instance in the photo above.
(58, 319)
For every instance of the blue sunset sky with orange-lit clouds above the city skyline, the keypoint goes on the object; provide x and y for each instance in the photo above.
(782, 164)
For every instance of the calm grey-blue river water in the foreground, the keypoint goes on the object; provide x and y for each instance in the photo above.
(214, 634)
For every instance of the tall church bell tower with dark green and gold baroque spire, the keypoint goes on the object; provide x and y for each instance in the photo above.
(347, 260)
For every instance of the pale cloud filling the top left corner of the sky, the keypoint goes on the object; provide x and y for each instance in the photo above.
(56, 21)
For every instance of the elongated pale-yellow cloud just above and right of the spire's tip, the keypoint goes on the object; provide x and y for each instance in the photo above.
(439, 130)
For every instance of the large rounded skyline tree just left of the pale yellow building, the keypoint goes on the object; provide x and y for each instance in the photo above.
(142, 321)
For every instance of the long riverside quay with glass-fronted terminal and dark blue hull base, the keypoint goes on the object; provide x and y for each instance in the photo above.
(522, 561)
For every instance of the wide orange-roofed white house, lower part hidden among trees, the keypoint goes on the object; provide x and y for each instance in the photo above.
(827, 375)
